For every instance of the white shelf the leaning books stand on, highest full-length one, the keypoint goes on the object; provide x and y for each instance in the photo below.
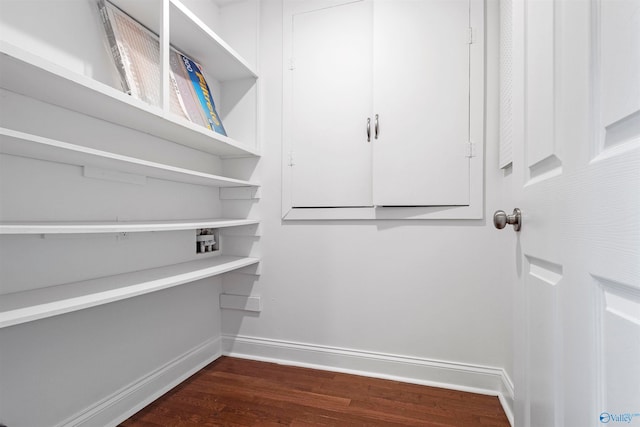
(30, 75)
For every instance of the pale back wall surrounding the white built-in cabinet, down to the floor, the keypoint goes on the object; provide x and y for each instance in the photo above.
(430, 290)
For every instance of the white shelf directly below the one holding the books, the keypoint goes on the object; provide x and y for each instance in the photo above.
(37, 147)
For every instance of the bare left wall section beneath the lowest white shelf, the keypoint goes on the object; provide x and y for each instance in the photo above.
(76, 365)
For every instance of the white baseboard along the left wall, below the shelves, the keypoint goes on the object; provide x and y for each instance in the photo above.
(135, 396)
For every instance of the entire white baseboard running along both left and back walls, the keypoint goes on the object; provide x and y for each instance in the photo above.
(451, 375)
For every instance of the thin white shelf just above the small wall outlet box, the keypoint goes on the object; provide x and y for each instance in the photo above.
(90, 227)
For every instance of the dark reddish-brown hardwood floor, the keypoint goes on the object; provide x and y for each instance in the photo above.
(237, 392)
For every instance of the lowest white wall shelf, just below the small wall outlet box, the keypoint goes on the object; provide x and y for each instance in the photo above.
(22, 307)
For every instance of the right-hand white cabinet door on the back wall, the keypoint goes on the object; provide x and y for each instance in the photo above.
(421, 97)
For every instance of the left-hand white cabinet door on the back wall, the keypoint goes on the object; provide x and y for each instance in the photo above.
(331, 101)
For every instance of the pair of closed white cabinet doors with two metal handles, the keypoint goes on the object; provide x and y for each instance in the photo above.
(380, 94)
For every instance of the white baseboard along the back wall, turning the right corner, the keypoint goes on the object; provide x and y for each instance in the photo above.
(435, 373)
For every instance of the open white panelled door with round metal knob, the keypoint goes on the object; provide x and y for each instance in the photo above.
(577, 180)
